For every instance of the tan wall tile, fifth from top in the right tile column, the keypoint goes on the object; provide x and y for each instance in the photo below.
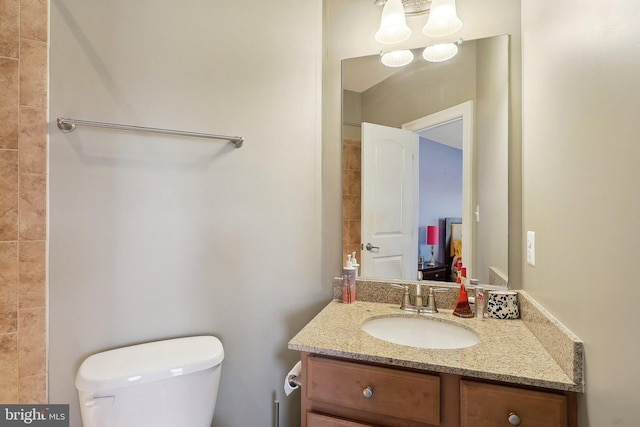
(32, 290)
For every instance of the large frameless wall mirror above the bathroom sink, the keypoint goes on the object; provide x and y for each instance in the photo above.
(402, 97)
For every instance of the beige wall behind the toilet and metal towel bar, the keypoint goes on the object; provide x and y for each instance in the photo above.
(154, 236)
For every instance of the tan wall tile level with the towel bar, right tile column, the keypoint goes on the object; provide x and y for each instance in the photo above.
(32, 140)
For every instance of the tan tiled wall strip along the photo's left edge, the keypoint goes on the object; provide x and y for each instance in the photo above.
(23, 186)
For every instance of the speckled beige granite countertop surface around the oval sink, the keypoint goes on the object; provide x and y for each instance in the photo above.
(508, 351)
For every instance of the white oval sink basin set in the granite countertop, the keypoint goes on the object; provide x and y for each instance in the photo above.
(420, 332)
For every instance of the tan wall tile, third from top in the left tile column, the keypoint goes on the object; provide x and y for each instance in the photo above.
(8, 195)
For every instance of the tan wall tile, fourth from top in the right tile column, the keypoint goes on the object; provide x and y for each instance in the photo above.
(33, 207)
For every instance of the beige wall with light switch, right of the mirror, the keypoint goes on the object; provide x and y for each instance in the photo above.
(581, 162)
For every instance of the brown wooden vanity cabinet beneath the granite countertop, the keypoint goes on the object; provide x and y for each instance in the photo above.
(342, 393)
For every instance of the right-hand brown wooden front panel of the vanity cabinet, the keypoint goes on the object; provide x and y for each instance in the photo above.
(490, 405)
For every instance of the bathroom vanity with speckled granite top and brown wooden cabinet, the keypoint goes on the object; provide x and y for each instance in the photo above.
(511, 377)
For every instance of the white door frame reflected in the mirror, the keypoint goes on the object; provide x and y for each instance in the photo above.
(464, 111)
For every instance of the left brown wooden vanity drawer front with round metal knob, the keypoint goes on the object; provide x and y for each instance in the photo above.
(385, 391)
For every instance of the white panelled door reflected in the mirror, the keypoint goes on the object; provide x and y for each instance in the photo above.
(389, 203)
